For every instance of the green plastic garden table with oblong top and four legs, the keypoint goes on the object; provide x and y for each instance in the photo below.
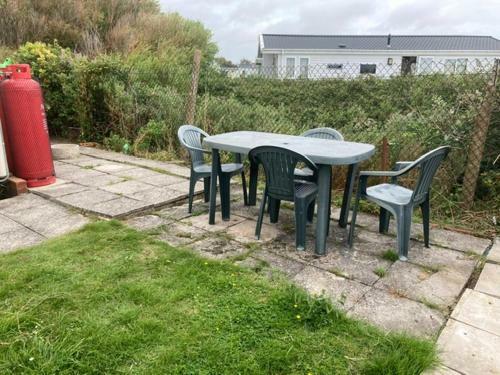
(324, 153)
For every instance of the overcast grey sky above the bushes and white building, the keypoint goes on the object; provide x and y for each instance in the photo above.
(236, 24)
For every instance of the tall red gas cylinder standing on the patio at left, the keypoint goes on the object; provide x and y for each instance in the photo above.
(26, 127)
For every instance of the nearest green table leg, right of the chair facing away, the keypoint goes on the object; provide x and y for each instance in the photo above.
(324, 186)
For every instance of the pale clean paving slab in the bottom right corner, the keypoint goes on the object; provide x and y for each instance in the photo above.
(469, 350)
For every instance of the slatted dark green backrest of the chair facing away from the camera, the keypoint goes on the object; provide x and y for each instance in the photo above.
(279, 166)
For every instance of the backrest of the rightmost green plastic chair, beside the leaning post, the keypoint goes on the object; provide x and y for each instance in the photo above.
(428, 165)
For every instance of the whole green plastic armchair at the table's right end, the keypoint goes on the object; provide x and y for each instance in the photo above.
(398, 200)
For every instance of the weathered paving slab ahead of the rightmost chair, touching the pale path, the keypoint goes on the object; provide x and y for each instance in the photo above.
(437, 288)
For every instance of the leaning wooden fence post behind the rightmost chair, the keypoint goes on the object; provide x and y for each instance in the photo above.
(478, 139)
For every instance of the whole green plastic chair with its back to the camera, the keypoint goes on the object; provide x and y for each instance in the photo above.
(279, 167)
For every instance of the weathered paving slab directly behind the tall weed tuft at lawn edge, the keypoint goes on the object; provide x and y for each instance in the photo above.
(343, 293)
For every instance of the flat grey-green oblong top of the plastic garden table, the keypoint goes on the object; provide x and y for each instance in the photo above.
(320, 151)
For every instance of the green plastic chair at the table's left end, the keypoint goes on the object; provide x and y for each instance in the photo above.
(191, 138)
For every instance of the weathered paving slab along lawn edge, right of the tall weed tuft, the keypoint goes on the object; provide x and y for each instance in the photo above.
(394, 313)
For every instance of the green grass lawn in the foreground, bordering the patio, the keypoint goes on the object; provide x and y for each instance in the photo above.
(108, 299)
